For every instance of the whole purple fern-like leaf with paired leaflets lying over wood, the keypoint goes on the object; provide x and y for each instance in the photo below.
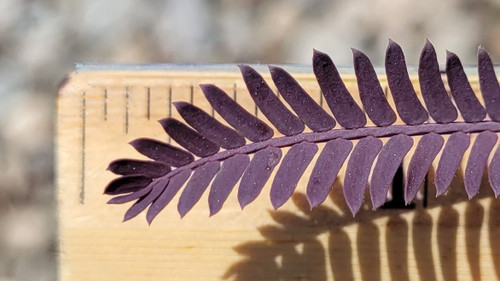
(245, 150)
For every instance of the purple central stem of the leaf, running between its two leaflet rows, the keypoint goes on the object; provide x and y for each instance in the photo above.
(348, 134)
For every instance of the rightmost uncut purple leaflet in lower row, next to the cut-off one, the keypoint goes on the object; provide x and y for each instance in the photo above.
(478, 159)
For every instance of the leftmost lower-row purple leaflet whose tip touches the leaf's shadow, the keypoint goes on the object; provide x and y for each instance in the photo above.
(291, 169)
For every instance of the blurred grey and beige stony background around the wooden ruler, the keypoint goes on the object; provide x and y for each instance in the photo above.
(40, 41)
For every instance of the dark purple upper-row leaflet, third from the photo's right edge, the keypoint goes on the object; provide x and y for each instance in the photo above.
(435, 96)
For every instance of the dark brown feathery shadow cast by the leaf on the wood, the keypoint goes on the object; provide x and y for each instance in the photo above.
(291, 248)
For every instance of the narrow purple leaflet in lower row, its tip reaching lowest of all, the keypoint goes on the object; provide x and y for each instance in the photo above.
(168, 193)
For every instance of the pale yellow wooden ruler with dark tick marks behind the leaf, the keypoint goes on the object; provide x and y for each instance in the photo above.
(99, 112)
